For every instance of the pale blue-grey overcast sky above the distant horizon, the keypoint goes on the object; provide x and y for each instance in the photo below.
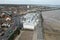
(51, 2)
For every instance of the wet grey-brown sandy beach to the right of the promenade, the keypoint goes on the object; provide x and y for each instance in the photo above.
(52, 25)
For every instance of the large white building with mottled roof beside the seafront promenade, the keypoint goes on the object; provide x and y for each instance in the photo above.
(31, 20)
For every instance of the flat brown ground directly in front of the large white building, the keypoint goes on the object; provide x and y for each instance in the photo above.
(25, 35)
